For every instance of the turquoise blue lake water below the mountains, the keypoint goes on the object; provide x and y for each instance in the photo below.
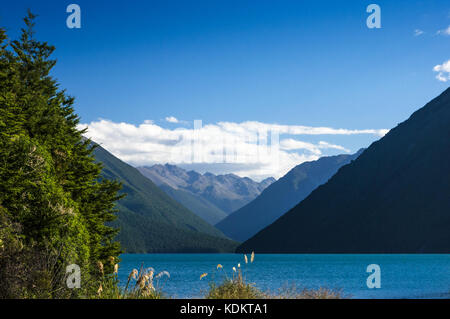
(402, 276)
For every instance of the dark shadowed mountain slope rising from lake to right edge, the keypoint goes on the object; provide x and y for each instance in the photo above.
(395, 198)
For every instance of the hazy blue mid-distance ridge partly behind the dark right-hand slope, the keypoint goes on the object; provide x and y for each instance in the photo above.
(281, 196)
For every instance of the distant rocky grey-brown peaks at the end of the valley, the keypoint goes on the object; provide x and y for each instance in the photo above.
(211, 197)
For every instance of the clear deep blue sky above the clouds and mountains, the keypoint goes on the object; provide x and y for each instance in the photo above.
(309, 63)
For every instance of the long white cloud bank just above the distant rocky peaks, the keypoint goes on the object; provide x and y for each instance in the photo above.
(252, 149)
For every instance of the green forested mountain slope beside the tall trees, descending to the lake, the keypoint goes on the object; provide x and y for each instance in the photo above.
(150, 221)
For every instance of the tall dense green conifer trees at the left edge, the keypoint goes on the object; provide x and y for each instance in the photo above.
(53, 201)
